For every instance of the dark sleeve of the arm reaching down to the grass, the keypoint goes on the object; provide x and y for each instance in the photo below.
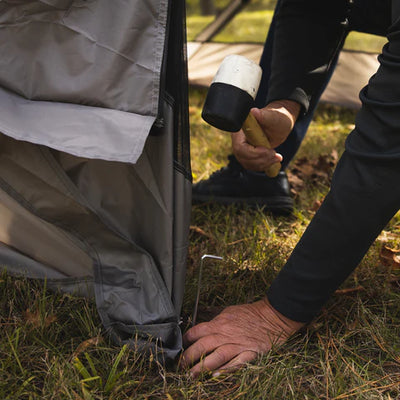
(364, 196)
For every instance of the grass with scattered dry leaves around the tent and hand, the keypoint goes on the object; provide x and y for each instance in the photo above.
(52, 345)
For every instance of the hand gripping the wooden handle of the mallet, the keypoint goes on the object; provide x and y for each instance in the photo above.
(277, 120)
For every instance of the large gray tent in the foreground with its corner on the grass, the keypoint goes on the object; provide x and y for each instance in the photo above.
(95, 179)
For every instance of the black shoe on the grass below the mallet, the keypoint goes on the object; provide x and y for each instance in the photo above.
(235, 185)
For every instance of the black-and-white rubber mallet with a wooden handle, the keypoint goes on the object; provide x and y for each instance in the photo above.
(229, 100)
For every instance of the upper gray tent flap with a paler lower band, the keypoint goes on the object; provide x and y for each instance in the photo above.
(81, 63)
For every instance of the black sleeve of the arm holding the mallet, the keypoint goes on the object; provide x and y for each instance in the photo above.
(308, 35)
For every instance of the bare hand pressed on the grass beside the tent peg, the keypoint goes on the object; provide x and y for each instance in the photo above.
(235, 337)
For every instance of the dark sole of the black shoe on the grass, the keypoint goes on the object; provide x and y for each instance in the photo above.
(277, 205)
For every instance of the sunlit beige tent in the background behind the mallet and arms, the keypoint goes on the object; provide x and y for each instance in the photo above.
(352, 72)
